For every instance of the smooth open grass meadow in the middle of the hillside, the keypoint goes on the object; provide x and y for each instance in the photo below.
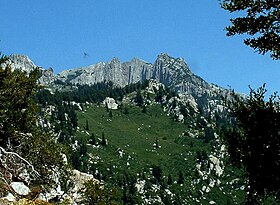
(135, 133)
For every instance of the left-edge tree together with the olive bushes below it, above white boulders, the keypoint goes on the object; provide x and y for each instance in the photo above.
(19, 132)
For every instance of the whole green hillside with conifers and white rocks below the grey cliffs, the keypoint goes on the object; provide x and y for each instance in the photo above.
(143, 150)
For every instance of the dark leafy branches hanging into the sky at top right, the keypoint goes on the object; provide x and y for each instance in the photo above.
(260, 20)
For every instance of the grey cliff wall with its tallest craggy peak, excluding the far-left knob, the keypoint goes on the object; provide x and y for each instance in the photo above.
(166, 70)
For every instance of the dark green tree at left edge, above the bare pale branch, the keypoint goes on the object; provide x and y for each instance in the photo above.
(17, 108)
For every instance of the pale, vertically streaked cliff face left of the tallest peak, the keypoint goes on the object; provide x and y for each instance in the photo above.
(120, 74)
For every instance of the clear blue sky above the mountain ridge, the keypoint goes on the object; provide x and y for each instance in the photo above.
(56, 33)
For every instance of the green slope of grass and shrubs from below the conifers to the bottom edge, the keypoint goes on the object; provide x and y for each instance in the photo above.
(151, 147)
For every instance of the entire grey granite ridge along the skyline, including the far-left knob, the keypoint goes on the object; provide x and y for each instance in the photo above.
(172, 72)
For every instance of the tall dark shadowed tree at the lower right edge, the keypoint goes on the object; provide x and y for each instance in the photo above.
(254, 143)
